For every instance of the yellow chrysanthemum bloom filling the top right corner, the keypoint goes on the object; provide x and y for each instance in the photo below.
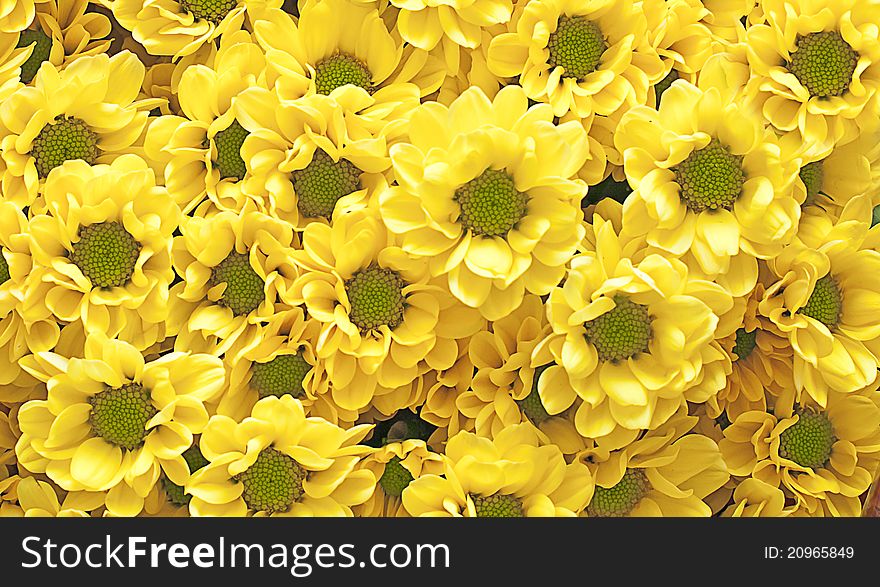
(815, 68)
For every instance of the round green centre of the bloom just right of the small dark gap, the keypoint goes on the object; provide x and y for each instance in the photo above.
(711, 178)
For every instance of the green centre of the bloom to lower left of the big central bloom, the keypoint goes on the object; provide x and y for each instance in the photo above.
(376, 298)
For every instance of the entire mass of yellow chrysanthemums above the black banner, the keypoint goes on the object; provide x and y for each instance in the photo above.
(439, 257)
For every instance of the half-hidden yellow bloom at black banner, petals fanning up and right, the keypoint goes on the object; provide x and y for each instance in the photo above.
(666, 472)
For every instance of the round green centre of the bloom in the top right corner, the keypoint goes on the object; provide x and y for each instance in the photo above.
(824, 63)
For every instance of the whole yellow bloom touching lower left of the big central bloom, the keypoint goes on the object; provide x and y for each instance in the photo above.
(382, 322)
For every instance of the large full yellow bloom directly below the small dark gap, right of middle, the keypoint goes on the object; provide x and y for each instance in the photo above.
(634, 336)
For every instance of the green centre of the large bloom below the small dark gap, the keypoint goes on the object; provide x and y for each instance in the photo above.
(622, 332)
